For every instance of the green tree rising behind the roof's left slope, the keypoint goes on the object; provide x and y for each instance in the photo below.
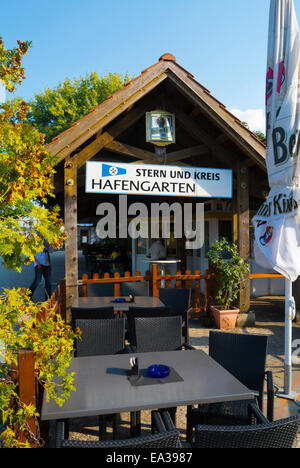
(55, 110)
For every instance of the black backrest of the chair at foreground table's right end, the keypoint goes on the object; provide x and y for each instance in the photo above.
(244, 356)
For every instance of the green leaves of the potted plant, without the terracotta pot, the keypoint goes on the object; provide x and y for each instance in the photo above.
(228, 274)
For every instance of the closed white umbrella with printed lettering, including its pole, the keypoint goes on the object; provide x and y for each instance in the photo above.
(277, 222)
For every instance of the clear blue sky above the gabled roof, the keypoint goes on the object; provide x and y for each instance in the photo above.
(223, 43)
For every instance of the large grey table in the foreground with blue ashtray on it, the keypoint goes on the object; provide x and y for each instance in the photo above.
(103, 387)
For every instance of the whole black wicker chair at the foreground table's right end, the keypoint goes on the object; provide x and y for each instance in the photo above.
(244, 356)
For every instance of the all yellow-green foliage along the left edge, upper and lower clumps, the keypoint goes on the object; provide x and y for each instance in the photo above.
(26, 171)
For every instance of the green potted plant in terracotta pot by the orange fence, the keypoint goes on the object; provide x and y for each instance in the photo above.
(229, 270)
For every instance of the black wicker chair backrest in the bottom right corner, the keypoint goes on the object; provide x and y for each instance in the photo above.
(279, 434)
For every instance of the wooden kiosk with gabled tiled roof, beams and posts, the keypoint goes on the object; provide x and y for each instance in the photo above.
(207, 135)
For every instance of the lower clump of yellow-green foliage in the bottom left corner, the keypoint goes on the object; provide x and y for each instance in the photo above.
(24, 324)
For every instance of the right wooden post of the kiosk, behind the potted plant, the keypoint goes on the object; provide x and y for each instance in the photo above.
(243, 230)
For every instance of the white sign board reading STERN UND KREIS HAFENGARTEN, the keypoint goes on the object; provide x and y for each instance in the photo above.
(143, 179)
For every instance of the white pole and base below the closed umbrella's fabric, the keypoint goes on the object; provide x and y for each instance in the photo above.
(288, 393)
